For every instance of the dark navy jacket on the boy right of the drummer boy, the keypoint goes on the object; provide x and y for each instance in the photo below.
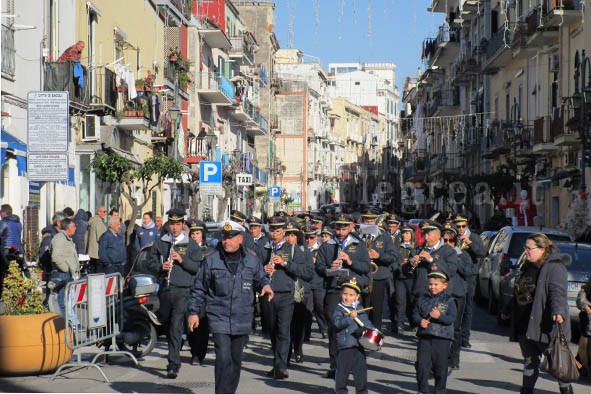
(442, 327)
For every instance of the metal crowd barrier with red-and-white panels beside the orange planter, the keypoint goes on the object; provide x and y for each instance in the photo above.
(94, 315)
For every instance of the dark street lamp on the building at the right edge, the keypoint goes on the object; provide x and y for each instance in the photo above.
(580, 101)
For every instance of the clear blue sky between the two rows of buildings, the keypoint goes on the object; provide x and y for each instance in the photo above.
(332, 31)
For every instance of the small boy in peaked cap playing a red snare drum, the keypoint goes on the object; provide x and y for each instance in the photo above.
(350, 356)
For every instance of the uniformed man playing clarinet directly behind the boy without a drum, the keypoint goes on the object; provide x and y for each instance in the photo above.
(434, 255)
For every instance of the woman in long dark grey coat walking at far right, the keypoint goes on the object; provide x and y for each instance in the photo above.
(539, 307)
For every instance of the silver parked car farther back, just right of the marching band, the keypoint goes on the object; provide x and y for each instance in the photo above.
(503, 253)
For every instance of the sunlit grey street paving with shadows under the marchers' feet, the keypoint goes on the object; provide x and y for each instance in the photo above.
(493, 365)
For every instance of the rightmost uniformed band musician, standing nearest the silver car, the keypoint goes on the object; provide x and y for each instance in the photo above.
(471, 243)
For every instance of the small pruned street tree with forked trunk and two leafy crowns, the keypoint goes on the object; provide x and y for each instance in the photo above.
(113, 168)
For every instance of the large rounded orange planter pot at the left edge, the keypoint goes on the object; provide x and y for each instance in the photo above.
(32, 344)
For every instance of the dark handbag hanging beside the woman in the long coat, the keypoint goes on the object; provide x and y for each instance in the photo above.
(558, 359)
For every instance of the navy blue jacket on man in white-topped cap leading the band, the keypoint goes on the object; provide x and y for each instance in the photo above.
(229, 298)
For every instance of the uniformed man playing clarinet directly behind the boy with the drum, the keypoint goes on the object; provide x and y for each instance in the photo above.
(347, 251)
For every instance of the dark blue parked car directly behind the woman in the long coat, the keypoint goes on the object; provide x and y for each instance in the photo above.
(579, 271)
